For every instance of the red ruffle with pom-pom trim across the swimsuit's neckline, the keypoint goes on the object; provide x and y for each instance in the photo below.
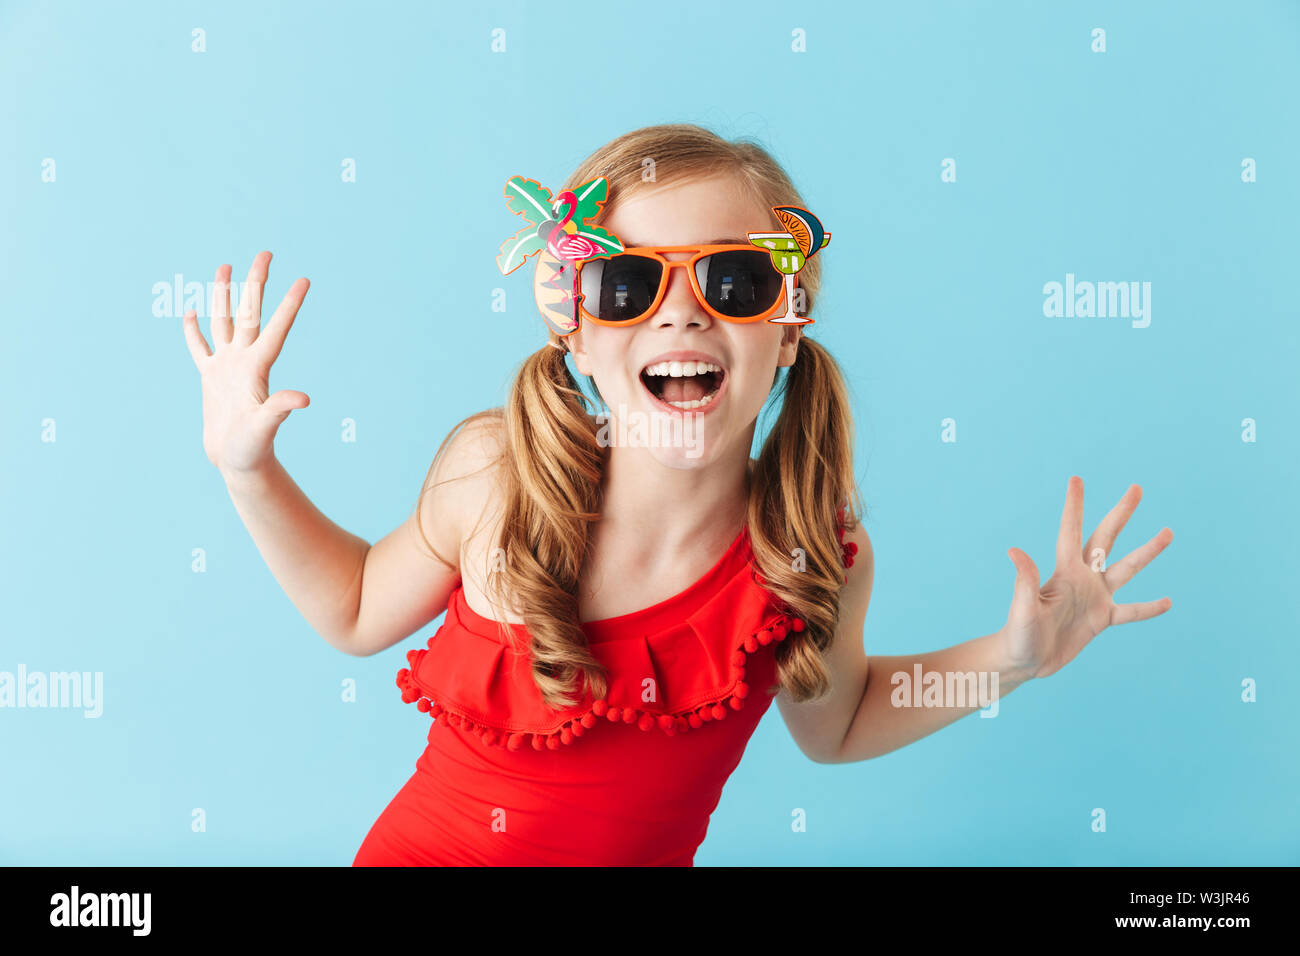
(694, 647)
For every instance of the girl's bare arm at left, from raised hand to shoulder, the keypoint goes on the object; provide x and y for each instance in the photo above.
(361, 599)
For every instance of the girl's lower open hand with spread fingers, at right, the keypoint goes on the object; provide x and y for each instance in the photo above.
(1050, 625)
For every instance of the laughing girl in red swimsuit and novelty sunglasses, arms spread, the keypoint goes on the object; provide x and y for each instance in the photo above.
(621, 616)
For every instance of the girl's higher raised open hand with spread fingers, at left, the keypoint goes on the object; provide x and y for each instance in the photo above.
(240, 419)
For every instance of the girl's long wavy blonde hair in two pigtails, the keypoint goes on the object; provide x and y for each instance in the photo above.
(552, 465)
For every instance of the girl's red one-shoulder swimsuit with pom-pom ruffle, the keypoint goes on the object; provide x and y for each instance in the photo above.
(630, 780)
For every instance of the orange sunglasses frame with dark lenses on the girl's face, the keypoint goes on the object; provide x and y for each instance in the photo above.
(733, 283)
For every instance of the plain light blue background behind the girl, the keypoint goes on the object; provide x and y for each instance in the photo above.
(1119, 166)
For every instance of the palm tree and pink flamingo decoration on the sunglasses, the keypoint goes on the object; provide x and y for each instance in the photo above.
(558, 233)
